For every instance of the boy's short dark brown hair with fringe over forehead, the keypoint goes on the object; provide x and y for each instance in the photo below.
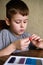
(16, 6)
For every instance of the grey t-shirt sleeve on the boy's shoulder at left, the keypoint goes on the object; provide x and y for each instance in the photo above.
(4, 39)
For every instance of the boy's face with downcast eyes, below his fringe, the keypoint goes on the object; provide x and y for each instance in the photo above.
(18, 24)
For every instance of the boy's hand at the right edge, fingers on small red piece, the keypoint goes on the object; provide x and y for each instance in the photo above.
(37, 41)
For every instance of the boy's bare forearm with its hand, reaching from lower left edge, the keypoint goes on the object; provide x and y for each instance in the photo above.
(17, 45)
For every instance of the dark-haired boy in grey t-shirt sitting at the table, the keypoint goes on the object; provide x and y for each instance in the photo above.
(15, 39)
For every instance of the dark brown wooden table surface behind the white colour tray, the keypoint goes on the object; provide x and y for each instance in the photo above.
(29, 53)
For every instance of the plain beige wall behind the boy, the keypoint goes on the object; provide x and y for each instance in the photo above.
(35, 23)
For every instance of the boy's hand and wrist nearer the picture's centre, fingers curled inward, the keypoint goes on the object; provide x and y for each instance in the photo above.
(22, 44)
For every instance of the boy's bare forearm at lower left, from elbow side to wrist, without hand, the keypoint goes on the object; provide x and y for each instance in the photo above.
(8, 50)
